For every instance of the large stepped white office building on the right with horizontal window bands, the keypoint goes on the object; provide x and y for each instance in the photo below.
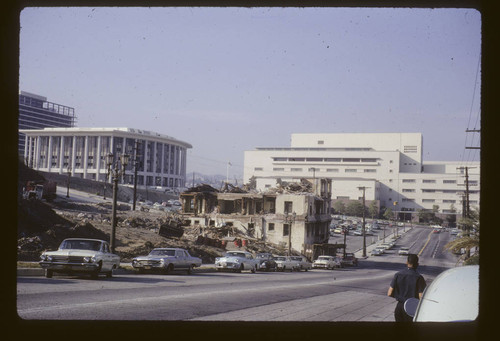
(389, 165)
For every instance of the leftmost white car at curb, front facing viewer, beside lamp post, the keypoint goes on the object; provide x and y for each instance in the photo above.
(79, 255)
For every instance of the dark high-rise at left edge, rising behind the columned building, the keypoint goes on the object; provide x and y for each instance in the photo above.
(36, 113)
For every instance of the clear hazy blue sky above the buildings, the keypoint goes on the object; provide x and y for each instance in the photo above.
(227, 80)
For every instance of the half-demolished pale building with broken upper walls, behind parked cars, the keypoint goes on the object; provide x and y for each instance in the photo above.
(294, 215)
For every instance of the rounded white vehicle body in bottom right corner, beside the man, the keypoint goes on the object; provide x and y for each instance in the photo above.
(452, 296)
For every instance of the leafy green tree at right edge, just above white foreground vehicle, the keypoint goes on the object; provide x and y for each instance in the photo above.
(468, 240)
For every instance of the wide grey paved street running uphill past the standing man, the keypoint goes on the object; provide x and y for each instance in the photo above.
(349, 294)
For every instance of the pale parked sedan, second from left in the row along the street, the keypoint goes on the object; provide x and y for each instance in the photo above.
(166, 260)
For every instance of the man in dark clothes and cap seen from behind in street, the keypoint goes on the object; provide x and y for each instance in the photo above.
(406, 284)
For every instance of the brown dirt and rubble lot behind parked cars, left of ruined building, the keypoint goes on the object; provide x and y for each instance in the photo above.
(43, 225)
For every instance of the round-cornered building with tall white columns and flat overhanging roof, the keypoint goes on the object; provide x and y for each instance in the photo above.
(161, 159)
